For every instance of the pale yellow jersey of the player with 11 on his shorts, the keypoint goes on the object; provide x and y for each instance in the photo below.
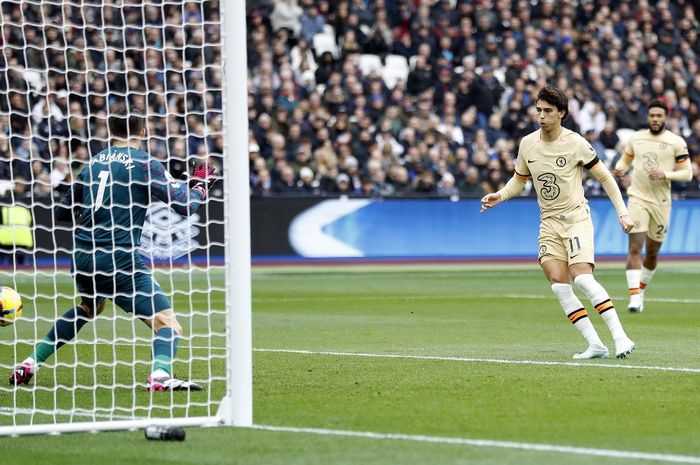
(556, 169)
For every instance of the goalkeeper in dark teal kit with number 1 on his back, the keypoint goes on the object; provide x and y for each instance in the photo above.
(108, 204)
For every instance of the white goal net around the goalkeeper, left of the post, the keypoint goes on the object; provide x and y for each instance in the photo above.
(65, 67)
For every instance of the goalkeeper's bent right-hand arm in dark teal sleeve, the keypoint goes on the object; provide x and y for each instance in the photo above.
(177, 195)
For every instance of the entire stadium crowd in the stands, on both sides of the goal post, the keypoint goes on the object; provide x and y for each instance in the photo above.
(354, 97)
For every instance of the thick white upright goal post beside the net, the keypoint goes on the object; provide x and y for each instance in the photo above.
(238, 406)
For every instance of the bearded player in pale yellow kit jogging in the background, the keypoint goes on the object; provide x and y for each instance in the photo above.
(657, 157)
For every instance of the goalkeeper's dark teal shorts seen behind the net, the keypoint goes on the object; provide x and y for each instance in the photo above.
(121, 277)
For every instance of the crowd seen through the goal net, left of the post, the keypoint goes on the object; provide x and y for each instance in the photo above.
(67, 65)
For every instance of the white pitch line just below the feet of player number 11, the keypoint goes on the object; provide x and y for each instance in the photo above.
(482, 360)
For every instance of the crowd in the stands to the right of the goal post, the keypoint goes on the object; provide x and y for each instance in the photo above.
(421, 97)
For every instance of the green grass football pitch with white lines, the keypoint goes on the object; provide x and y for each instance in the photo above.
(425, 364)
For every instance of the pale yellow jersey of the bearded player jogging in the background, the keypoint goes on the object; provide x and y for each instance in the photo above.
(650, 152)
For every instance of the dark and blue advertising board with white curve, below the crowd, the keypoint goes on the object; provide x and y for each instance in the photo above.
(337, 228)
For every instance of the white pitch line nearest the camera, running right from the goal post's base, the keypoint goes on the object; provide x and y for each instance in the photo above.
(526, 446)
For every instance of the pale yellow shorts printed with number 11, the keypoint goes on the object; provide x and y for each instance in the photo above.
(567, 237)
